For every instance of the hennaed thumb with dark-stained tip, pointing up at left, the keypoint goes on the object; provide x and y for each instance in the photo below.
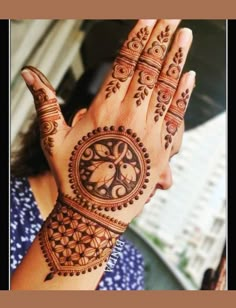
(48, 110)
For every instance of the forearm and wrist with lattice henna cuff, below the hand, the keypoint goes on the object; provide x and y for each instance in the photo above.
(71, 250)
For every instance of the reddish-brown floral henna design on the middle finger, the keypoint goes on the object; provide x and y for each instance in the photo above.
(150, 65)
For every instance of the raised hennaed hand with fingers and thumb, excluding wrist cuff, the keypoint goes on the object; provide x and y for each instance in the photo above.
(113, 158)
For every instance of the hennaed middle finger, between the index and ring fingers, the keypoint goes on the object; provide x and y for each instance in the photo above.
(149, 65)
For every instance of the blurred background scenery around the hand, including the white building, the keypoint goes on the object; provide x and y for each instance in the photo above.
(181, 232)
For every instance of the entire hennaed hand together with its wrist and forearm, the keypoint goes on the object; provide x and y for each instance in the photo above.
(109, 162)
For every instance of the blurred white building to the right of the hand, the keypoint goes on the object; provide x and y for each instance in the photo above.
(188, 221)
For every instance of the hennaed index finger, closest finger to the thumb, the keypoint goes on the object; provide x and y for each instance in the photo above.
(123, 68)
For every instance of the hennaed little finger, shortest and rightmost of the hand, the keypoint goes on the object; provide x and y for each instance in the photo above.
(175, 114)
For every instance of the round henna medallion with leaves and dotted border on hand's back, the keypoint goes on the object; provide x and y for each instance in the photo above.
(108, 168)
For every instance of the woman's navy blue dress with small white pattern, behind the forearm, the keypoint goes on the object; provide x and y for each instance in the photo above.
(26, 221)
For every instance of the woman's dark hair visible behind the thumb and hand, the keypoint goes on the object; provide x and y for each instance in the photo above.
(29, 160)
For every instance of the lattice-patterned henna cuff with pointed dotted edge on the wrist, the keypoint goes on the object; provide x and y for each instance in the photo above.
(73, 244)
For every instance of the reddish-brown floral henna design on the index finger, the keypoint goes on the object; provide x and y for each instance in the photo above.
(126, 61)
